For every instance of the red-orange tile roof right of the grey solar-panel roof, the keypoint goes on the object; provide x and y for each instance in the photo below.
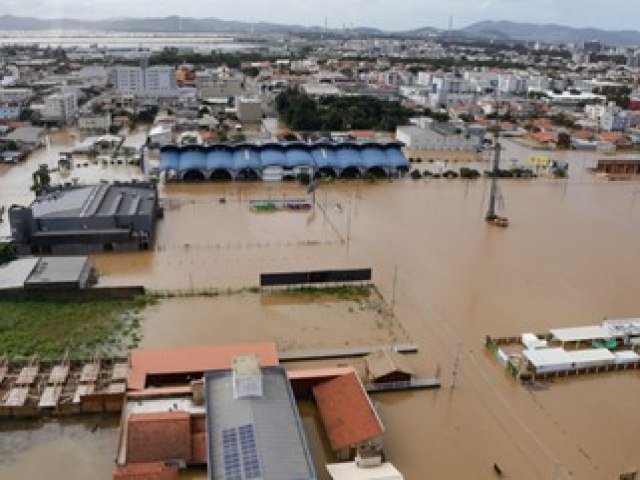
(347, 413)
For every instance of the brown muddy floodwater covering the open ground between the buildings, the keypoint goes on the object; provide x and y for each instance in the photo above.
(570, 257)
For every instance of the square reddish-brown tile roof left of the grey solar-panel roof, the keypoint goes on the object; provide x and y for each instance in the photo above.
(156, 437)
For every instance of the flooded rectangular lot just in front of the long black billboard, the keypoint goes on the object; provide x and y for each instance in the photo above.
(294, 322)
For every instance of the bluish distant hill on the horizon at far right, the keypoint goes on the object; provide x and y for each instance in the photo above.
(552, 33)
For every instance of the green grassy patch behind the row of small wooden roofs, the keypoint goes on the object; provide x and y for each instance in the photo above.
(84, 328)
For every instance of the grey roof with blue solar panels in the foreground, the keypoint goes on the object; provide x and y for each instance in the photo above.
(257, 437)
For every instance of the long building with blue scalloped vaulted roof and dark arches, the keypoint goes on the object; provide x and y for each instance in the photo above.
(276, 161)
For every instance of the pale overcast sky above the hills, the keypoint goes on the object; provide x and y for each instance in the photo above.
(386, 14)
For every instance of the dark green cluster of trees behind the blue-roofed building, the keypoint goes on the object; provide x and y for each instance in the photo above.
(302, 112)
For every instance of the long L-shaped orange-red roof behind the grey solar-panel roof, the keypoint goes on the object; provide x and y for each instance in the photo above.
(160, 361)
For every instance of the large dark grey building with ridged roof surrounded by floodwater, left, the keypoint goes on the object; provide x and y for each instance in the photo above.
(87, 219)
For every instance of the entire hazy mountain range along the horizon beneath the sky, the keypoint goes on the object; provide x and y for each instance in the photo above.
(500, 30)
